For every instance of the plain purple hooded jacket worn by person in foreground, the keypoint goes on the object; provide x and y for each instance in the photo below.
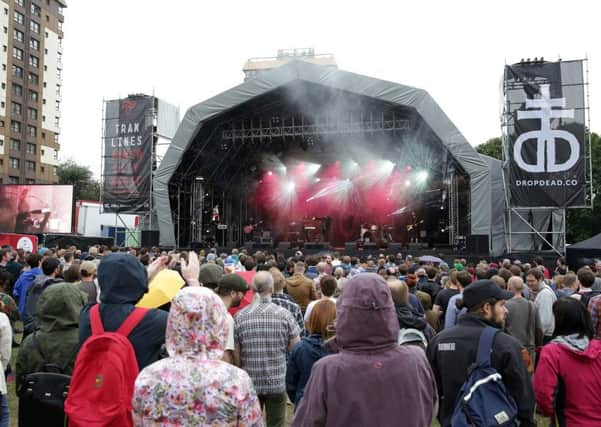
(372, 381)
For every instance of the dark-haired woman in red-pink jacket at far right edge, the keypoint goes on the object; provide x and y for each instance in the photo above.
(567, 381)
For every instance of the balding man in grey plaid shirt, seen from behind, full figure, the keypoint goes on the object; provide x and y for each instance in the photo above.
(264, 333)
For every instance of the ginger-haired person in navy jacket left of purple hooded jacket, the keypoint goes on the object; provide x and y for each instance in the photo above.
(310, 349)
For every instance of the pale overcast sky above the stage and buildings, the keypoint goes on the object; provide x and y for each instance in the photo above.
(189, 50)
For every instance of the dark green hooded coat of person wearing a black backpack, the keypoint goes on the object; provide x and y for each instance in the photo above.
(57, 316)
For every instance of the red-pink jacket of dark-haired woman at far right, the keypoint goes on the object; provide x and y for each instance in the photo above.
(580, 372)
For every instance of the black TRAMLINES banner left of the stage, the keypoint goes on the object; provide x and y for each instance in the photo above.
(127, 155)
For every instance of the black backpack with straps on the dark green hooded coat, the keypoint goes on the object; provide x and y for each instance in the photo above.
(42, 394)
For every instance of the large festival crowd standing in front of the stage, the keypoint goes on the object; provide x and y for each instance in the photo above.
(243, 339)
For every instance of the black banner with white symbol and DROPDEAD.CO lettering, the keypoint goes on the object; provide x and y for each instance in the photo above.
(545, 134)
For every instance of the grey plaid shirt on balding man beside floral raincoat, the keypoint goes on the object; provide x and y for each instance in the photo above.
(263, 332)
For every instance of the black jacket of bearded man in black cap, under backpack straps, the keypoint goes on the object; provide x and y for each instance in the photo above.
(451, 361)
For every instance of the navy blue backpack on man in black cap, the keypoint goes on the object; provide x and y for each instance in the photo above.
(483, 399)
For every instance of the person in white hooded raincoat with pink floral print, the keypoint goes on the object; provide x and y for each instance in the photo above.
(193, 386)
